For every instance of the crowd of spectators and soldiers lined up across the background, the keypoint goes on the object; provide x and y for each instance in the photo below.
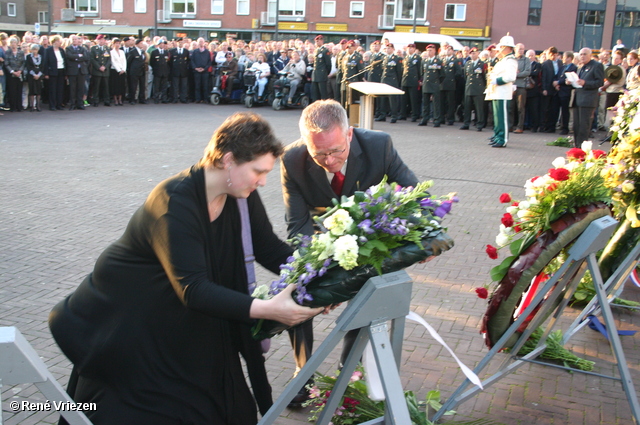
(441, 85)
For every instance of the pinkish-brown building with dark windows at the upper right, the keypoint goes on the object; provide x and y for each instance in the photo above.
(568, 24)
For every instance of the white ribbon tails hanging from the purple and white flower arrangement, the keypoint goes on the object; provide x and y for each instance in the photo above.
(374, 384)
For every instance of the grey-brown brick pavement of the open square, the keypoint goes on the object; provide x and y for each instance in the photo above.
(71, 181)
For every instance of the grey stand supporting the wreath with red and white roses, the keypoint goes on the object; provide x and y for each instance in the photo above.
(592, 240)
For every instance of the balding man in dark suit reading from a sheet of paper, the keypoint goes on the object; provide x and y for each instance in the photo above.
(591, 78)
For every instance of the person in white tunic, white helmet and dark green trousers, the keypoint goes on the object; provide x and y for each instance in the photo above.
(500, 90)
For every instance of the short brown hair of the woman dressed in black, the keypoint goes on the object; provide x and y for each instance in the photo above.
(247, 136)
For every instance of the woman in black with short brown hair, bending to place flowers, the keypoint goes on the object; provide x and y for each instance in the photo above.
(156, 330)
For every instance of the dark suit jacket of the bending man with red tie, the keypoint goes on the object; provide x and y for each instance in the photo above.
(307, 191)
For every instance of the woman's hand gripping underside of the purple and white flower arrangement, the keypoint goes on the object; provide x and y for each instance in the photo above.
(283, 309)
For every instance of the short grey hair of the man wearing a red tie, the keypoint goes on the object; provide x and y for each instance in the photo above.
(321, 116)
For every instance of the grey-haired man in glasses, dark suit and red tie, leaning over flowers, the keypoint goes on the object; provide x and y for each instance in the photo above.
(330, 160)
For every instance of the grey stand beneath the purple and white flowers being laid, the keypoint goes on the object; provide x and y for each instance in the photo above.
(382, 299)
